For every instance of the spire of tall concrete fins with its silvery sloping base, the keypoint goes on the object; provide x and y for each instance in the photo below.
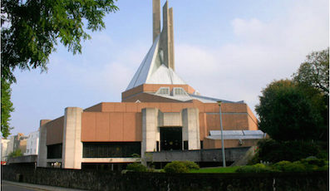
(157, 66)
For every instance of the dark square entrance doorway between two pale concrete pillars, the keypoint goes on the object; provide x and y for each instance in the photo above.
(170, 138)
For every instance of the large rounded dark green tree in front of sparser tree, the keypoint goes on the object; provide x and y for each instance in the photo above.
(289, 112)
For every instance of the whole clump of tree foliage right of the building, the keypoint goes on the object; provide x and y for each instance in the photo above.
(298, 109)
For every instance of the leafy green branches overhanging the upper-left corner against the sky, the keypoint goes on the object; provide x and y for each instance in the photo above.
(30, 30)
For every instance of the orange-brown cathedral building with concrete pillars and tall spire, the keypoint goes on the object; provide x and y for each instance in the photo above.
(159, 112)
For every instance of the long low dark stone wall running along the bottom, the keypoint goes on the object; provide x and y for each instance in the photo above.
(98, 180)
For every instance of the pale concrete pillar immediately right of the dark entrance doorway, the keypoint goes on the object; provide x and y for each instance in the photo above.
(190, 127)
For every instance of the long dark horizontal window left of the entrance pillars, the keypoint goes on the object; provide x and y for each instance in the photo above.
(111, 149)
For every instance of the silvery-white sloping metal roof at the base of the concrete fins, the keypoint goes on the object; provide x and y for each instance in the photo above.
(152, 71)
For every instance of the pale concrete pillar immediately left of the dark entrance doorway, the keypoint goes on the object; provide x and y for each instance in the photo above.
(150, 132)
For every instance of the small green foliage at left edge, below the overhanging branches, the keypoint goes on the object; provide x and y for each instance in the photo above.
(6, 108)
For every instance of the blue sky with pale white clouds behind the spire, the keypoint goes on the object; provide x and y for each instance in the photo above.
(224, 49)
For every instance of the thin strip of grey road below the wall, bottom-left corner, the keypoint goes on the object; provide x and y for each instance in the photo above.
(16, 186)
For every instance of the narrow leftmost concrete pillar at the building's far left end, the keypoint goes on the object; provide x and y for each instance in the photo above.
(42, 155)
